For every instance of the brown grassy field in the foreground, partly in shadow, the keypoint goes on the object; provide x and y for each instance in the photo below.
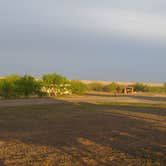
(83, 133)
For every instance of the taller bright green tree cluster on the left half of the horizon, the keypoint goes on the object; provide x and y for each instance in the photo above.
(16, 86)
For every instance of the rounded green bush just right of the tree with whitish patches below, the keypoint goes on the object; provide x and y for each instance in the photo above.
(78, 87)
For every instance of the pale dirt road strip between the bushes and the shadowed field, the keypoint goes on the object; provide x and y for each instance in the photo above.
(90, 97)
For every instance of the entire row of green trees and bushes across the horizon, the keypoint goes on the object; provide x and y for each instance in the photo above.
(16, 86)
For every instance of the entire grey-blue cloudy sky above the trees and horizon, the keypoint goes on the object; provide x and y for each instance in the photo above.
(112, 40)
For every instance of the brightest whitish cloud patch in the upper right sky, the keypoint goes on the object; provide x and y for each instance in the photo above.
(117, 22)
